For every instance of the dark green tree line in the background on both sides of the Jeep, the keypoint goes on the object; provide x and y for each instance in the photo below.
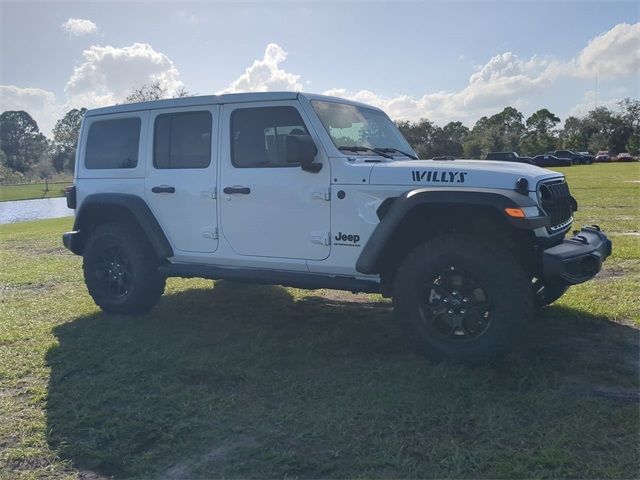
(27, 154)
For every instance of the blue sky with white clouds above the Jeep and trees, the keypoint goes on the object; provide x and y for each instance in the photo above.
(441, 60)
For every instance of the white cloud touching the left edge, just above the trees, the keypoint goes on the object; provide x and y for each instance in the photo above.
(40, 104)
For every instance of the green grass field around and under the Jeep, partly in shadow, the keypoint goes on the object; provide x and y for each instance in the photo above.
(250, 381)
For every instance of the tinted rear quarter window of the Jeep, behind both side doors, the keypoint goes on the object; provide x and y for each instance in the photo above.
(113, 144)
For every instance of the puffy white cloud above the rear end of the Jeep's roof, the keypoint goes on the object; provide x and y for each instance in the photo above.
(108, 74)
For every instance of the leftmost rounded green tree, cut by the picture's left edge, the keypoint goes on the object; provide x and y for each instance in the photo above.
(21, 141)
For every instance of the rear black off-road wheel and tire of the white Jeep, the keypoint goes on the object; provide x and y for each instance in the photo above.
(121, 270)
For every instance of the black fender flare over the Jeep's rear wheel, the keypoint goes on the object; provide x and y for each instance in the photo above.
(136, 206)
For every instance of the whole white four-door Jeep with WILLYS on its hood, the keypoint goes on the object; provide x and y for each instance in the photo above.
(316, 192)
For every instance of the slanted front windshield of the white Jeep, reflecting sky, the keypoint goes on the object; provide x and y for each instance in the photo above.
(352, 126)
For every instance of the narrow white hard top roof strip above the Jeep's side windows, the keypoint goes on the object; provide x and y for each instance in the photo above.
(217, 100)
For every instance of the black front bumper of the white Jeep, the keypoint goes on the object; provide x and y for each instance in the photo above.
(577, 259)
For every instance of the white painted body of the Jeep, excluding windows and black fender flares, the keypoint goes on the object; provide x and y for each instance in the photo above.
(292, 220)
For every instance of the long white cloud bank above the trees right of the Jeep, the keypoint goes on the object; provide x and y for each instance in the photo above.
(507, 79)
